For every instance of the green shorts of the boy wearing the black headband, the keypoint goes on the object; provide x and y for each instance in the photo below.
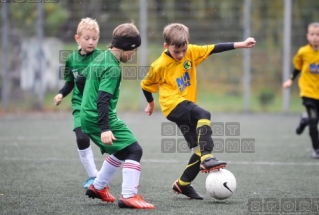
(122, 133)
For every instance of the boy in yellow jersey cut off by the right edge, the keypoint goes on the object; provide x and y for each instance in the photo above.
(306, 61)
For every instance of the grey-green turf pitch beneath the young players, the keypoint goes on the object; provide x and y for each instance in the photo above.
(41, 172)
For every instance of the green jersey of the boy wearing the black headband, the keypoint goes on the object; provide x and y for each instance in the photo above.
(103, 74)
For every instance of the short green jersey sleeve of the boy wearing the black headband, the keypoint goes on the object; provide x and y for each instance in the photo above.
(110, 80)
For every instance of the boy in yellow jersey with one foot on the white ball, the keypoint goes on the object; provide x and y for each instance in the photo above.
(174, 75)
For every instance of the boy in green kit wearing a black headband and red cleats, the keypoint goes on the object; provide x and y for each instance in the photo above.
(100, 121)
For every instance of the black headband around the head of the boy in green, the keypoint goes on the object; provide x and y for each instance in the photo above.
(126, 43)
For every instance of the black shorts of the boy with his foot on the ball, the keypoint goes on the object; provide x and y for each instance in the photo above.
(181, 115)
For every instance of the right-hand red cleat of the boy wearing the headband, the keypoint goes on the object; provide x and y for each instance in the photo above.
(136, 202)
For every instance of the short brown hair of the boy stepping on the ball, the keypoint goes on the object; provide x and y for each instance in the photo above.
(176, 34)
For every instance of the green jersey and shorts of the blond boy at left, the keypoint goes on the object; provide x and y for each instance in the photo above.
(74, 66)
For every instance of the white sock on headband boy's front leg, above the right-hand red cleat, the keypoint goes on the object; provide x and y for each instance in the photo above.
(131, 178)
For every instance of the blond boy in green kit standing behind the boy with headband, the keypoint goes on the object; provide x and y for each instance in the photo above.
(87, 37)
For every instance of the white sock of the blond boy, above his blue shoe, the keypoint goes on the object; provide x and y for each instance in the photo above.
(87, 159)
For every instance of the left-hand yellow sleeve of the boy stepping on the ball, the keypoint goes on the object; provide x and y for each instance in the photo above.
(151, 81)
